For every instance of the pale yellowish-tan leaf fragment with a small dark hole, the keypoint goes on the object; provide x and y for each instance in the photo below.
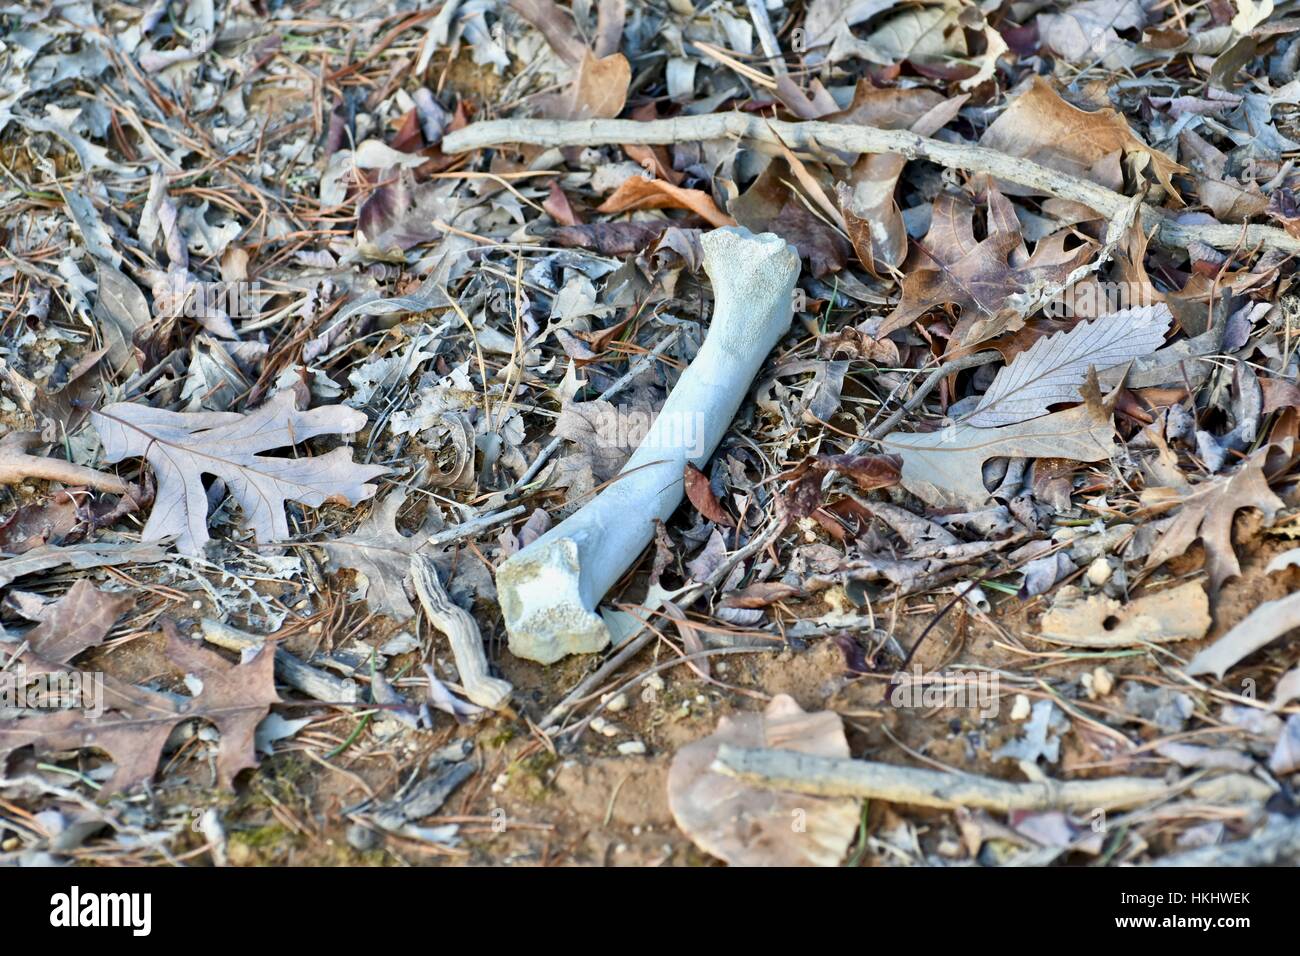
(1097, 621)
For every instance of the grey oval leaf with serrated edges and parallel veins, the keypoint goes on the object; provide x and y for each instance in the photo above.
(1054, 369)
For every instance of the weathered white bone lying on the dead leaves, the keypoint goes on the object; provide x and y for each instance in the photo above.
(549, 591)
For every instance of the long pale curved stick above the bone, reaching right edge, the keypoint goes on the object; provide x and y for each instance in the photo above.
(825, 139)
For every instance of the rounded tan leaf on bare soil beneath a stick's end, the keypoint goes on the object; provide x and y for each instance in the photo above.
(751, 827)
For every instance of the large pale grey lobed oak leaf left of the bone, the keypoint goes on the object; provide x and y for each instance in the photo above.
(184, 447)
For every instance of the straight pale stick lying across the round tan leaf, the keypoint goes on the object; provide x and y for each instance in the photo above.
(859, 778)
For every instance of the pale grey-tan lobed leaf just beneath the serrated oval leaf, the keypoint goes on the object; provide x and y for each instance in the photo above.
(946, 468)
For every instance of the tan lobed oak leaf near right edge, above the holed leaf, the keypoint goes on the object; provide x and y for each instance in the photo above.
(1208, 513)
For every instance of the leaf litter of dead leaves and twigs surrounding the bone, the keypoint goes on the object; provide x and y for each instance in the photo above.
(1019, 487)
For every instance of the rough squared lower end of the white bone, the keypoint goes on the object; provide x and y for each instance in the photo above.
(541, 598)
